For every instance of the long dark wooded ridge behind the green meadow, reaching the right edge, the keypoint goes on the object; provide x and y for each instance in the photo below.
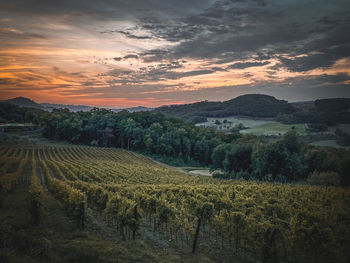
(326, 111)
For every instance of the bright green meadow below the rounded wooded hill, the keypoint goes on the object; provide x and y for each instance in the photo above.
(275, 128)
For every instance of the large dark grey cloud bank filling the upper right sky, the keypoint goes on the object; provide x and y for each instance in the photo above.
(228, 31)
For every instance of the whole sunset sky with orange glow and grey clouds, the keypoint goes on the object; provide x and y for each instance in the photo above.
(123, 53)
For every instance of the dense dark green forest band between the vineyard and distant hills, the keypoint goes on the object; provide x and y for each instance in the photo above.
(238, 156)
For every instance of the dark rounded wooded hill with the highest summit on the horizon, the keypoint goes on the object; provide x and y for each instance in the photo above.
(252, 105)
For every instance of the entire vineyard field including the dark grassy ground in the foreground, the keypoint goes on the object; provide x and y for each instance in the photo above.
(90, 204)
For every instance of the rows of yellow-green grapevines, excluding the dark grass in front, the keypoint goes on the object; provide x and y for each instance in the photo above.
(265, 222)
